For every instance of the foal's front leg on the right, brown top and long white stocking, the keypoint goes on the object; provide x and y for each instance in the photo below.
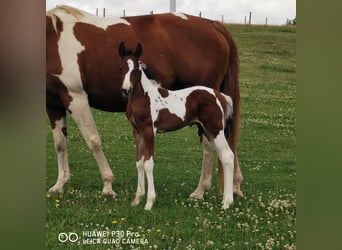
(148, 137)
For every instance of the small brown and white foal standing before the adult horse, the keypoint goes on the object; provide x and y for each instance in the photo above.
(153, 109)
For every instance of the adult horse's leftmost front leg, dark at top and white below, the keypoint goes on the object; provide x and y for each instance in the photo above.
(58, 124)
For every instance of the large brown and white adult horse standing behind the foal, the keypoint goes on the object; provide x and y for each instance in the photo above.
(81, 63)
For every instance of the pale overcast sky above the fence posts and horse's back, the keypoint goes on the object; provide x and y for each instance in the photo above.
(233, 11)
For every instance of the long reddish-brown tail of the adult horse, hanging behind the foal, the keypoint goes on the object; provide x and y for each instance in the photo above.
(230, 86)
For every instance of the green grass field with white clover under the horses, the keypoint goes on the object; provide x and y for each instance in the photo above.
(264, 219)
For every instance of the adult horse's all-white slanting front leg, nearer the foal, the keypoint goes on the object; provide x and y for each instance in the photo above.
(81, 113)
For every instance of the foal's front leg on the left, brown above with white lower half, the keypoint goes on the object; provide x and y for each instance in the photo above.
(140, 169)
